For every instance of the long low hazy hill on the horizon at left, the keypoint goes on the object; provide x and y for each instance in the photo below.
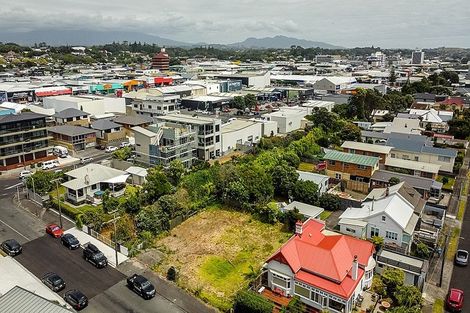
(84, 38)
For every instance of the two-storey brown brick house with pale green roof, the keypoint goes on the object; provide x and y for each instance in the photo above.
(354, 169)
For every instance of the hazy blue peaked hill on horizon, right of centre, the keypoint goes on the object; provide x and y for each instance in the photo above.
(281, 42)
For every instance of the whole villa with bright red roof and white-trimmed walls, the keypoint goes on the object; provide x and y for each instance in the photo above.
(326, 270)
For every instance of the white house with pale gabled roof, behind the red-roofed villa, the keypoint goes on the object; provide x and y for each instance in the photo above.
(391, 217)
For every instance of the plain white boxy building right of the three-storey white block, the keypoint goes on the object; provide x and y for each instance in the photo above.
(240, 132)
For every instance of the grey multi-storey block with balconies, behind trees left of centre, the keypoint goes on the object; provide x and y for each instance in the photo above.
(161, 143)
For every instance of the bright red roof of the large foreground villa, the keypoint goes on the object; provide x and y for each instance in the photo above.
(325, 261)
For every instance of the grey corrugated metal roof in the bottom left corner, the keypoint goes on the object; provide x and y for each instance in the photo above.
(21, 300)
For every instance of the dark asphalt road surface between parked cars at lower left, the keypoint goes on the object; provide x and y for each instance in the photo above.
(46, 254)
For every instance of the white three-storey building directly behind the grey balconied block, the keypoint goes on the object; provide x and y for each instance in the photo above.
(208, 133)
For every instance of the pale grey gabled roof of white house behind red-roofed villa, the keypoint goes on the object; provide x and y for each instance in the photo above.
(395, 206)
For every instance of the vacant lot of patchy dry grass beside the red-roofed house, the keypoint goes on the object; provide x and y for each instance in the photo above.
(217, 251)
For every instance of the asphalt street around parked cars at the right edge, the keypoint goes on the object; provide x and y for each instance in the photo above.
(461, 275)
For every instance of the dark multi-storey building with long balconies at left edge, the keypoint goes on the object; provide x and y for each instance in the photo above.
(24, 140)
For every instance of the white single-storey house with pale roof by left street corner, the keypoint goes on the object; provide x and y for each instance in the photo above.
(92, 180)
